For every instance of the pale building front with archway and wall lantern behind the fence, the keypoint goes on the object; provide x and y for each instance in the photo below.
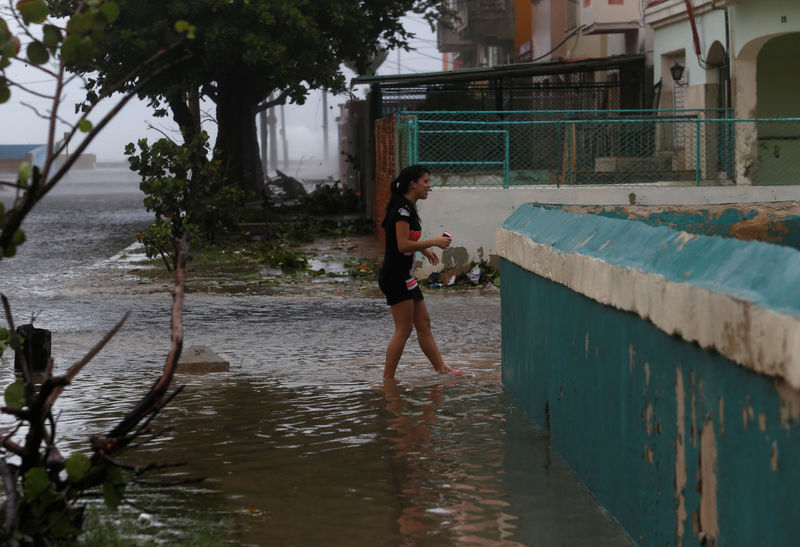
(733, 54)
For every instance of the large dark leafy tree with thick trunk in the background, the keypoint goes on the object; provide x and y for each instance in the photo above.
(246, 51)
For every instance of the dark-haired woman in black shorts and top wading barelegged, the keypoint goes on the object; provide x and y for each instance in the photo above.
(396, 278)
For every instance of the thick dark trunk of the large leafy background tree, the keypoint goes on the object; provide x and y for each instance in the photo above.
(237, 138)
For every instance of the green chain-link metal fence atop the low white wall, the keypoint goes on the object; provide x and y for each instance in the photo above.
(506, 148)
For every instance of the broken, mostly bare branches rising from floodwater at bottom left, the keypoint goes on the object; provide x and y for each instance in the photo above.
(39, 455)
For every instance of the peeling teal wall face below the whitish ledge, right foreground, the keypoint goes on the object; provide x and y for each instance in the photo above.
(606, 385)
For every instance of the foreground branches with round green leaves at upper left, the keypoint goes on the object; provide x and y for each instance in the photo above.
(76, 43)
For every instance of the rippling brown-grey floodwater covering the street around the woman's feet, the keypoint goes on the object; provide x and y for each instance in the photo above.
(301, 443)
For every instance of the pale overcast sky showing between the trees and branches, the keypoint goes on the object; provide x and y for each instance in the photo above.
(20, 125)
